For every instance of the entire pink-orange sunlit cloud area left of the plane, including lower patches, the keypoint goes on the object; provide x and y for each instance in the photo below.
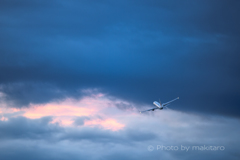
(65, 112)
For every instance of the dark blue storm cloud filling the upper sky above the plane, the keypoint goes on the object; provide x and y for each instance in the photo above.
(136, 50)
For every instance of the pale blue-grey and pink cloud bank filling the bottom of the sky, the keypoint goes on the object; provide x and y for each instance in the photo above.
(159, 128)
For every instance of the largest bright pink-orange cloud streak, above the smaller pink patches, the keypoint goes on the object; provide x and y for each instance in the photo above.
(69, 107)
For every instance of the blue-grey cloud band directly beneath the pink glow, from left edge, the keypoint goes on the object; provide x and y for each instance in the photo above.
(24, 128)
